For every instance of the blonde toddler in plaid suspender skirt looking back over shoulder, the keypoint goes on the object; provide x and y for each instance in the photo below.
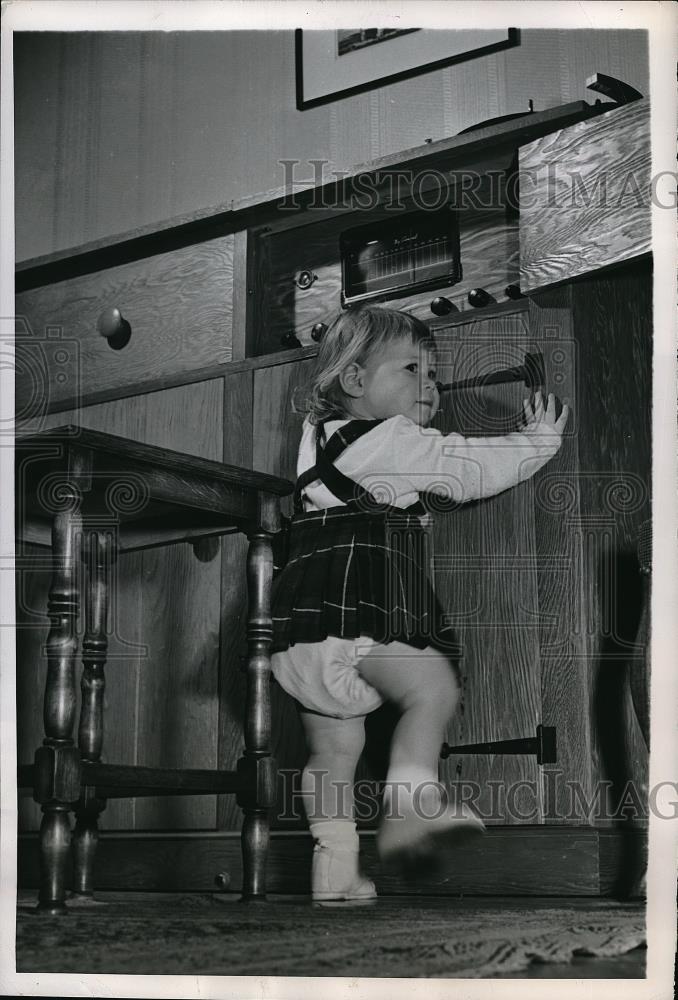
(355, 618)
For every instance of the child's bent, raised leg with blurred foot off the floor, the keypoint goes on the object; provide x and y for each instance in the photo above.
(423, 684)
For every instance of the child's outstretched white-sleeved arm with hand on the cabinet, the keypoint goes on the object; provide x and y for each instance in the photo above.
(464, 468)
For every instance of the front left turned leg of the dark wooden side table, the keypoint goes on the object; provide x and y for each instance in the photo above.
(57, 761)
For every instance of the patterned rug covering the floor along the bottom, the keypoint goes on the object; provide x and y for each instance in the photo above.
(392, 937)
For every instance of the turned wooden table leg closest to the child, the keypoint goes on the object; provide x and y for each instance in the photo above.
(256, 767)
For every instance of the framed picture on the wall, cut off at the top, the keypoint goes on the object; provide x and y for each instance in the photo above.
(340, 63)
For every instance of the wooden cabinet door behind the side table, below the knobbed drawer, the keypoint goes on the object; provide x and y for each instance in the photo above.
(162, 673)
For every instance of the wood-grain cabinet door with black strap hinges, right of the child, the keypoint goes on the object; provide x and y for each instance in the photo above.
(486, 578)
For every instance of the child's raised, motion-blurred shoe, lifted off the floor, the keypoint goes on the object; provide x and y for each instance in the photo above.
(416, 843)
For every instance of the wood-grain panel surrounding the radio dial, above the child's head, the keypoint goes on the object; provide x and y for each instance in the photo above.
(489, 255)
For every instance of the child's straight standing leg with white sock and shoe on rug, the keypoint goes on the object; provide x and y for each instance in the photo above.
(327, 790)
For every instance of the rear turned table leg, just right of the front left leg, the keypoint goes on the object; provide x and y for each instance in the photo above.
(99, 552)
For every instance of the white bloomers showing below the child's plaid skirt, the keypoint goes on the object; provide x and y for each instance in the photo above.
(322, 676)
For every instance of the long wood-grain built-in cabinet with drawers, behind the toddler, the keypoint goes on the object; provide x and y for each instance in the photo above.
(541, 582)
